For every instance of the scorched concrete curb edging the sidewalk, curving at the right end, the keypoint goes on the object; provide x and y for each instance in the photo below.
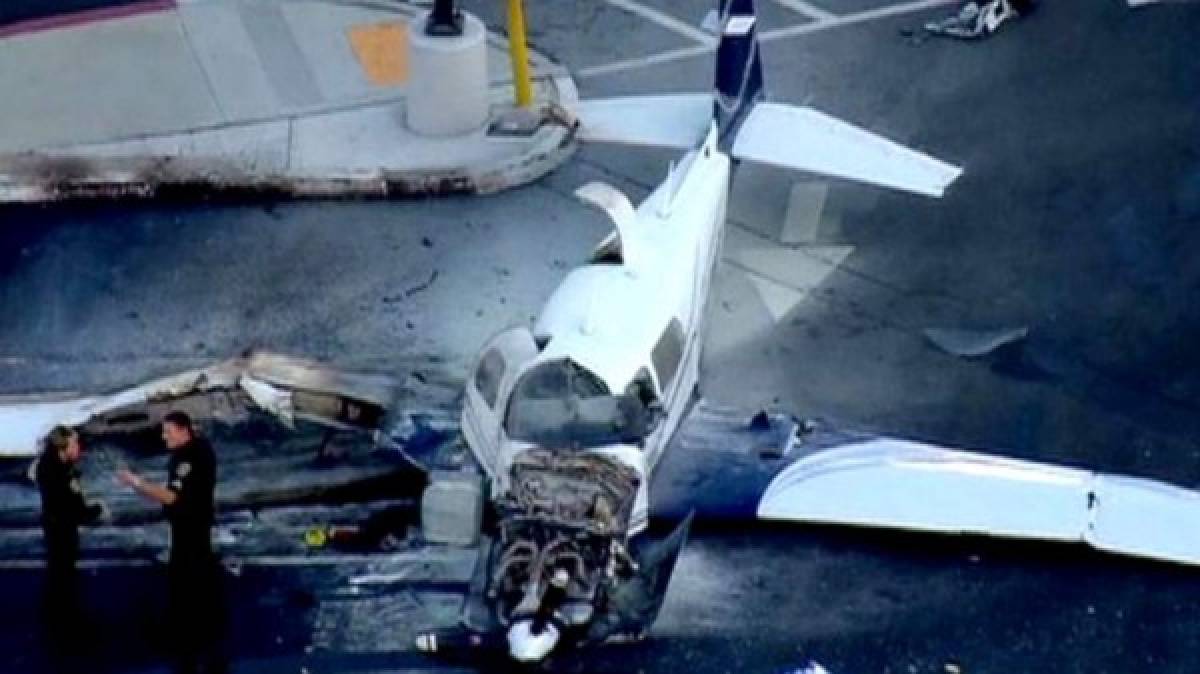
(87, 173)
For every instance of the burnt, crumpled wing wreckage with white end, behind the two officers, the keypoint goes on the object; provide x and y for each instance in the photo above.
(284, 387)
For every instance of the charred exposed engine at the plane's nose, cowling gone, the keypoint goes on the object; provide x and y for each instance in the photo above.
(562, 537)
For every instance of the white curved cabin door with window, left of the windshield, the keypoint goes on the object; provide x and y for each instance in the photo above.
(488, 390)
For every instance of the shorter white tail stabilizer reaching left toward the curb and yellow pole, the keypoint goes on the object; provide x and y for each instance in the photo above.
(676, 122)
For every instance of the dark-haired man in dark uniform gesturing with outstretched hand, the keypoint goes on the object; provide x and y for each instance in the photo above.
(193, 576)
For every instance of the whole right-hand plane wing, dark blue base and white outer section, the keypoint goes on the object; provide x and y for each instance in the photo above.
(830, 477)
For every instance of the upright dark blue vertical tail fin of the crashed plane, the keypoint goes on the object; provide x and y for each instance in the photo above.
(739, 83)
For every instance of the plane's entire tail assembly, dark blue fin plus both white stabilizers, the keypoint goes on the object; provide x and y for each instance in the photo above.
(749, 129)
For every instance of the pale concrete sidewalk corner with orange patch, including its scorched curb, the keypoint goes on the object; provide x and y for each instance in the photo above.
(297, 98)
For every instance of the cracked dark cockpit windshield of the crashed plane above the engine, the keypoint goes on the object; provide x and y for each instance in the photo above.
(561, 405)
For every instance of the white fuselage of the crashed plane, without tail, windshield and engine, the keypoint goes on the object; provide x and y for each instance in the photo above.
(634, 320)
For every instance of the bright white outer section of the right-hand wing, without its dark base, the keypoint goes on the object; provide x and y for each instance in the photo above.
(902, 485)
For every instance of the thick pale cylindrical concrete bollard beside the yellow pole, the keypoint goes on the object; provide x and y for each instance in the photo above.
(448, 92)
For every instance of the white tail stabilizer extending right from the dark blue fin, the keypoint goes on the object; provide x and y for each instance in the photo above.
(806, 140)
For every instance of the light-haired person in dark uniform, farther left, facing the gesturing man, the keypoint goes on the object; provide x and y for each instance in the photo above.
(64, 509)
